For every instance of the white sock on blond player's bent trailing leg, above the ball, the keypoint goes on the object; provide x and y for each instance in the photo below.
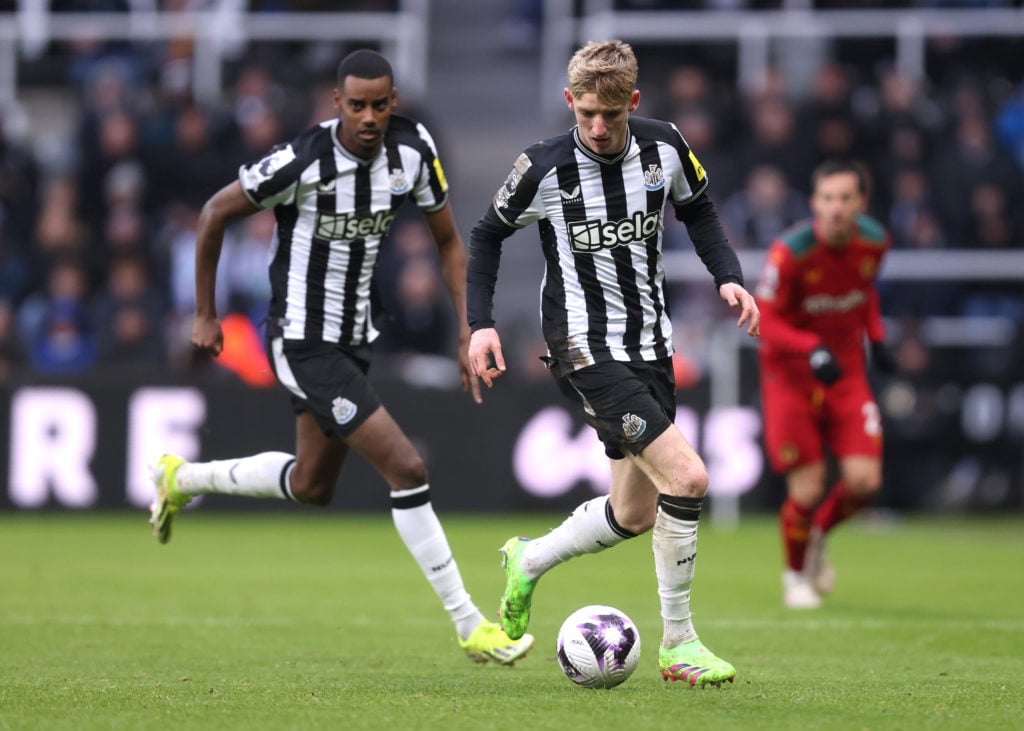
(589, 530)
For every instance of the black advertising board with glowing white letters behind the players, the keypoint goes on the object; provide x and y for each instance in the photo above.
(87, 444)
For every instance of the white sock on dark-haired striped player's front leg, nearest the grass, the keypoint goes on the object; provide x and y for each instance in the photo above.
(422, 533)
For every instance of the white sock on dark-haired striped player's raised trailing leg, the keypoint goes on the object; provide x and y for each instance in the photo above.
(264, 476)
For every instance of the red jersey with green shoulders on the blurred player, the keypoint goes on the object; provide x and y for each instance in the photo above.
(813, 294)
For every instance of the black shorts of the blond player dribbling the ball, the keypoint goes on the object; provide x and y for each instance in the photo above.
(629, 404)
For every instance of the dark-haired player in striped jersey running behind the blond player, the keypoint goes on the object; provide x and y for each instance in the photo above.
(335, 191)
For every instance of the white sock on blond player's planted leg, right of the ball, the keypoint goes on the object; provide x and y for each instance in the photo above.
(675, 544)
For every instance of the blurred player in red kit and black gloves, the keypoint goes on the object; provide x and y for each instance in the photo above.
(819, 307)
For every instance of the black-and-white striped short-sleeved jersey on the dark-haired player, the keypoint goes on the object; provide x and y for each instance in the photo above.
(333, 209)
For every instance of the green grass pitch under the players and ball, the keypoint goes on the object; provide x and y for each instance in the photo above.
(313, 621)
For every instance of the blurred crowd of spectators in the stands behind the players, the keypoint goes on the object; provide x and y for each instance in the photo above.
(98, 234)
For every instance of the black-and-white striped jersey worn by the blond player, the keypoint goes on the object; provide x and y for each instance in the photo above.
(604, 295)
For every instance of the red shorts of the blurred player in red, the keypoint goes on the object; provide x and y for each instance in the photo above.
(802, 419)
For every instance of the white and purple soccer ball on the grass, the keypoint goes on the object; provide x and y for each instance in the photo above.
(599, 648)
